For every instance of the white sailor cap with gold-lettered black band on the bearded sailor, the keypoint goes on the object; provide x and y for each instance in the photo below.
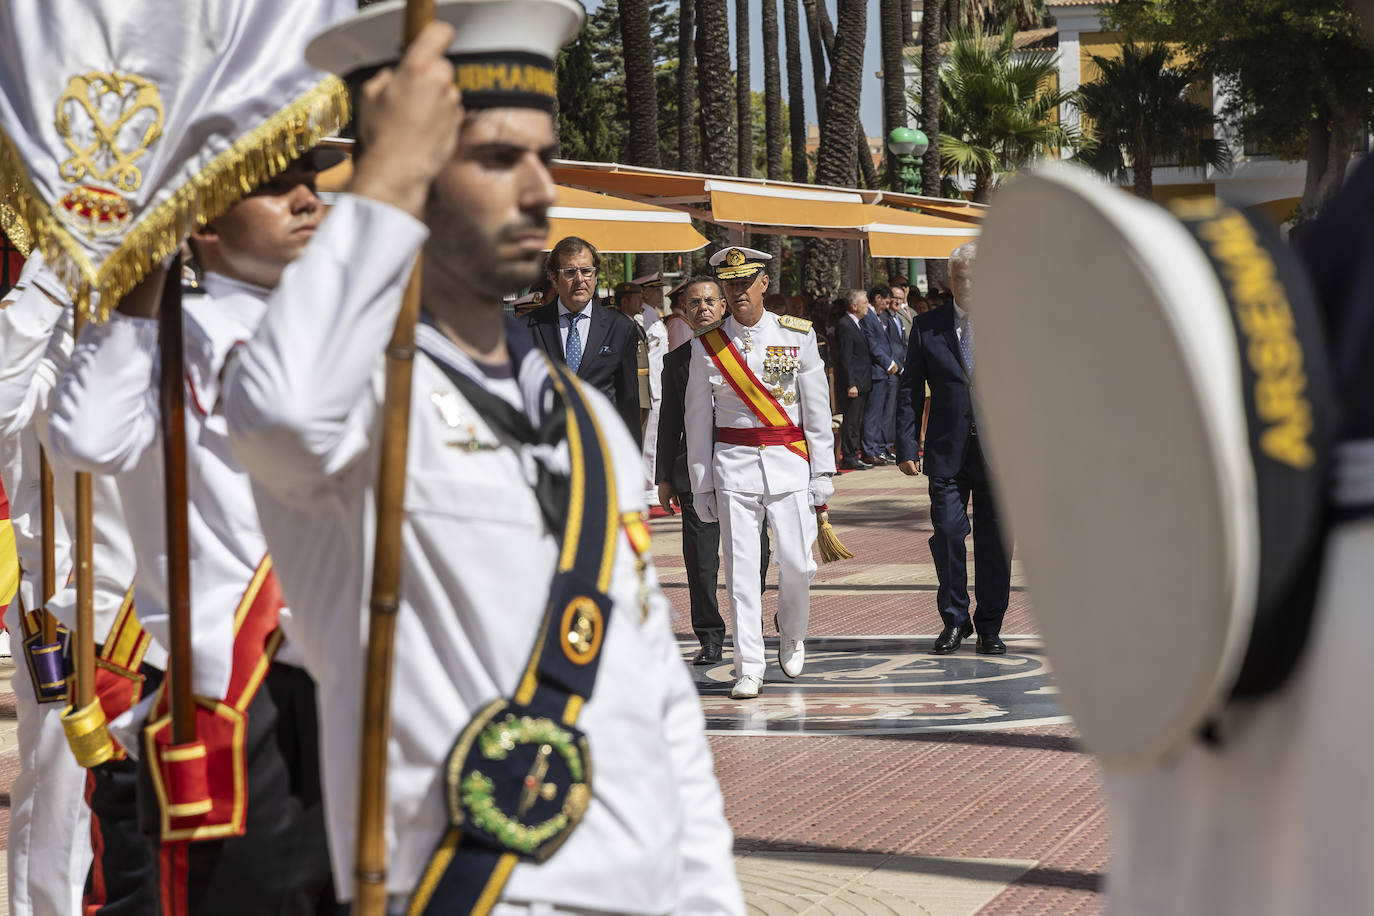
(502, 51)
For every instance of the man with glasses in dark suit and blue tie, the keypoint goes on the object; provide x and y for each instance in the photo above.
(600, 345)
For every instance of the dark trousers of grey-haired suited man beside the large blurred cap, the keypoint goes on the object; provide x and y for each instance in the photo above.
(950, 517)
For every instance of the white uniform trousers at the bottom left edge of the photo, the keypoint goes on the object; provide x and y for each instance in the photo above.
(50, 823)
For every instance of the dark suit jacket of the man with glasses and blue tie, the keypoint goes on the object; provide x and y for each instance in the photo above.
(611, 355)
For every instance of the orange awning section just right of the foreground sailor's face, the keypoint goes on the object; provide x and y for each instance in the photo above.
(615, 225)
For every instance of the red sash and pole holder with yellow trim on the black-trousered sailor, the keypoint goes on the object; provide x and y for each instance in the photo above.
(203, 786)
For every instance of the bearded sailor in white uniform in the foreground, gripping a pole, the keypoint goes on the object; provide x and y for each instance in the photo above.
(480, 546)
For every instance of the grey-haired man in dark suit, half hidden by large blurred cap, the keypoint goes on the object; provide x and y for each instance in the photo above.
(942, 354)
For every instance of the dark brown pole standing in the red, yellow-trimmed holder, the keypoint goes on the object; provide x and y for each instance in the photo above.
(172, 398)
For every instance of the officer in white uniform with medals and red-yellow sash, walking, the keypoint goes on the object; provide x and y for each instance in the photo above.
(761, 447)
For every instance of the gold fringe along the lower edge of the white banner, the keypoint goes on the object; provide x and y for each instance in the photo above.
(255, 159)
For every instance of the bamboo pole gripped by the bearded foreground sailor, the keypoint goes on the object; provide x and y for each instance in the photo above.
(370, 855)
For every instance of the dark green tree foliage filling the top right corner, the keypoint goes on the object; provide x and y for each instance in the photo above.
(1298, 75)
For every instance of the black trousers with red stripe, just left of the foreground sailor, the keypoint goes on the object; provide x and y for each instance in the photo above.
(281, 866)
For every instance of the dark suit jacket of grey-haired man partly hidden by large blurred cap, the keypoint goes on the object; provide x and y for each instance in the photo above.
(934, 359)
